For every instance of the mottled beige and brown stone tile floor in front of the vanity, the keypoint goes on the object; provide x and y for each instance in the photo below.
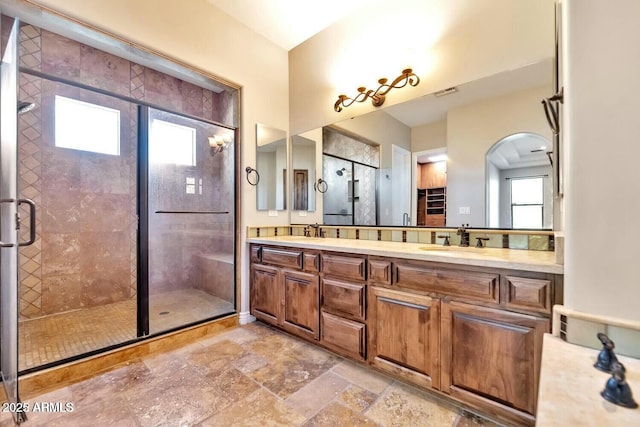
(251, 375)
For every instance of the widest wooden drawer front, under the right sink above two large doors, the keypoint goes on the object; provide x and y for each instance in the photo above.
(468, 284)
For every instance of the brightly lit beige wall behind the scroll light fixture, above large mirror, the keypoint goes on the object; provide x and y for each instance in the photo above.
(484, 37)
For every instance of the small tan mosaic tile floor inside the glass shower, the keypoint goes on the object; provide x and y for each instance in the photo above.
(59, 336)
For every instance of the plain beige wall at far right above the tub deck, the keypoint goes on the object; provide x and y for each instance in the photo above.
(602, 186)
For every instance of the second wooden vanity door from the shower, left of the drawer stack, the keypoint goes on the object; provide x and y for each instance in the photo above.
(301, 304)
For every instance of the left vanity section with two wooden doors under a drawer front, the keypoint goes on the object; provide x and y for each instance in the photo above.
(282, 294)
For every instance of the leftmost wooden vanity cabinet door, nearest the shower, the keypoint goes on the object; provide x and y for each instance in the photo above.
(266, 301)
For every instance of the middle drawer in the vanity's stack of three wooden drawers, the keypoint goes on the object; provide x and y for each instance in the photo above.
(343, 299)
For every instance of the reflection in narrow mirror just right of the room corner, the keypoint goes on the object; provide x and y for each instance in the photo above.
(303, 164)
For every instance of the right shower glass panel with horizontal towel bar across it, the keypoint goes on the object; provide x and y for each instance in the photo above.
(190, 220)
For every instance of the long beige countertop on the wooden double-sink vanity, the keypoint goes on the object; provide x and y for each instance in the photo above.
(517, 259)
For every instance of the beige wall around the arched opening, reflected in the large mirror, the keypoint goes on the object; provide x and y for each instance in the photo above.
(471, 131)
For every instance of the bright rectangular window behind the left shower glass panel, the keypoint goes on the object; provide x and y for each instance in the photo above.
(87, 127)
